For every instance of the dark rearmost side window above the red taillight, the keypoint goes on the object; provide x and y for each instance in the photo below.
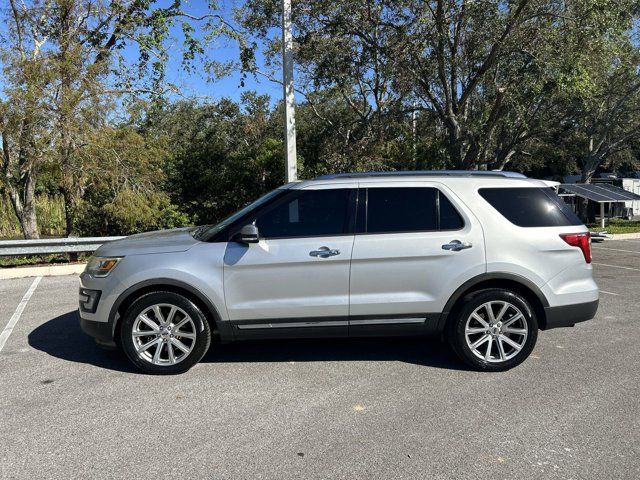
(530, 207)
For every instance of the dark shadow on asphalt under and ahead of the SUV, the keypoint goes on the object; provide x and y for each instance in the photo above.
(62, 337)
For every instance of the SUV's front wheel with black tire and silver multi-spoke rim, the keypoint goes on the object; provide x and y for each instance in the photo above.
(164, 333)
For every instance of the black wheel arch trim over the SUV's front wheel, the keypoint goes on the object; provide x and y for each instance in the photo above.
(127, 297)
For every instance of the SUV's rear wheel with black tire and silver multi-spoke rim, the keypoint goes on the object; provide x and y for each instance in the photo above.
(472, 332)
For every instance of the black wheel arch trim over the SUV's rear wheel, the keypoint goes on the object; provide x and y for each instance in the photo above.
(507, 281)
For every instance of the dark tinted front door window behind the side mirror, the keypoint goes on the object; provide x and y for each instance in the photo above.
(307, 213)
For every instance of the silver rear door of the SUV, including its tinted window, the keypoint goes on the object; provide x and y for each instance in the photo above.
(415, 244)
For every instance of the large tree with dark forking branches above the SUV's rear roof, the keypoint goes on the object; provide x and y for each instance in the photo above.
(481, 68)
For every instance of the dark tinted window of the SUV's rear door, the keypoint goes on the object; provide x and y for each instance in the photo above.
(409, 209)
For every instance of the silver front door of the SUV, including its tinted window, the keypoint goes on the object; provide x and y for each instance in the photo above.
(295, 281)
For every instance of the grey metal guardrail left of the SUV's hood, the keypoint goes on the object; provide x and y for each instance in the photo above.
(10, 248)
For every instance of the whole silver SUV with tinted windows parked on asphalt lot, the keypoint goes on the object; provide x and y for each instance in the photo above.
(484, 259)
